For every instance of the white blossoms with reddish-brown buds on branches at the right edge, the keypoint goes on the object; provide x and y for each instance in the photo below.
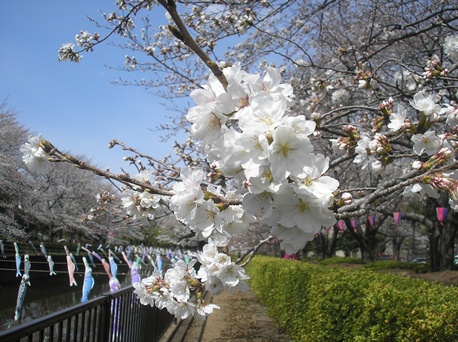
(436, 149)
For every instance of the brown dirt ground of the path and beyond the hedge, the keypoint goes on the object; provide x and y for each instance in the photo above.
(242, 319)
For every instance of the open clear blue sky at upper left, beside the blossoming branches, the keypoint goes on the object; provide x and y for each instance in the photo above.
(73, 105)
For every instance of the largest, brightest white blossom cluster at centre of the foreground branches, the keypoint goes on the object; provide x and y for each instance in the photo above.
(247, 132)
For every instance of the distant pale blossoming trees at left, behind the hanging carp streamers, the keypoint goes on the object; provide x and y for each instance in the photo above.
(55, 204)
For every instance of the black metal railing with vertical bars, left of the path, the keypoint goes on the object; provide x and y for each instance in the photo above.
(116, 317)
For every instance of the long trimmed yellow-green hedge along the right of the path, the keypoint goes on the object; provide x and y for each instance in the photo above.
(324, 303)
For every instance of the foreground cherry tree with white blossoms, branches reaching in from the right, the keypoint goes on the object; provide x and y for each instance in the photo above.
(354, 107)
